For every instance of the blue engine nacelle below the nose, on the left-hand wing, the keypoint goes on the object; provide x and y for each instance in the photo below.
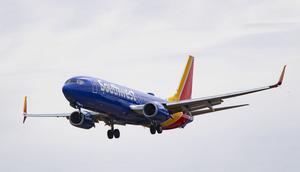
(82, 120)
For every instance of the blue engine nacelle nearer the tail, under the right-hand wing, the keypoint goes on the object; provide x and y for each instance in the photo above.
(155, 110)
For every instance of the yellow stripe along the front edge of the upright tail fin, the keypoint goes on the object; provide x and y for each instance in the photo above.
(176, 97)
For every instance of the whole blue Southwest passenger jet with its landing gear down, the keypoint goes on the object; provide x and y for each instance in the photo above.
(97, 100)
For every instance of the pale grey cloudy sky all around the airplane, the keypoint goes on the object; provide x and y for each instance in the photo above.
(144, 44)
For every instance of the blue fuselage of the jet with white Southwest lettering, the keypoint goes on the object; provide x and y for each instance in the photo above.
(111, 99)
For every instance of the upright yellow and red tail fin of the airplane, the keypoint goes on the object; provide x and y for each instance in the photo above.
(184, 90)
